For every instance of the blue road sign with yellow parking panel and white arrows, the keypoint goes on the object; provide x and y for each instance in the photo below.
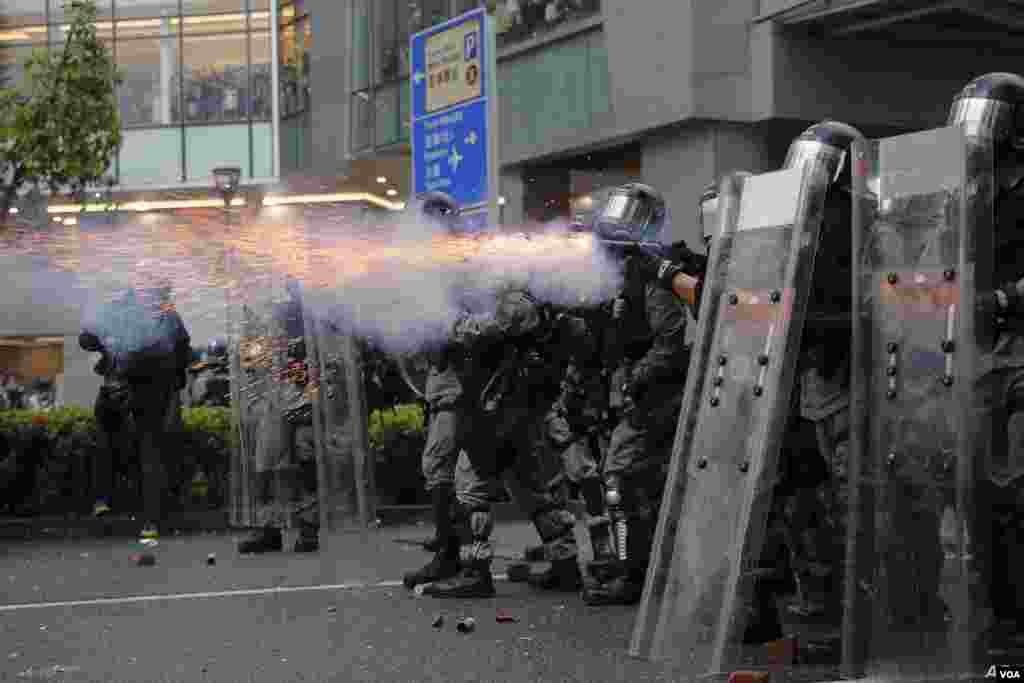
(451, 115)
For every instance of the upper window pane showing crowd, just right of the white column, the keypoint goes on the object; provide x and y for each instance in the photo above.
(217, 78)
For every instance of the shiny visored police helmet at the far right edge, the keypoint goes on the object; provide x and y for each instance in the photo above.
(991, 107)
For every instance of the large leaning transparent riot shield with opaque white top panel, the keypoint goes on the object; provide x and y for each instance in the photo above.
(714, 518)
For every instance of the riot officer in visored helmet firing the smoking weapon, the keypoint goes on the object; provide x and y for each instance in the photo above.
(647, 357)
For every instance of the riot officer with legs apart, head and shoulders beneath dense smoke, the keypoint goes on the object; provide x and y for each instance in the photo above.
(515, 364)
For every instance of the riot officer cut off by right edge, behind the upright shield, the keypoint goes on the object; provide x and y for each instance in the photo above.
(992, 108)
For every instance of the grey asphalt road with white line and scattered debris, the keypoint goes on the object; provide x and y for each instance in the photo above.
(84, 612)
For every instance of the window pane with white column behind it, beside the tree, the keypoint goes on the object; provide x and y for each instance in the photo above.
(150, 93)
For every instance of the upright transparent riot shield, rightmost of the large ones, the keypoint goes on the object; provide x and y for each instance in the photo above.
(922, 419)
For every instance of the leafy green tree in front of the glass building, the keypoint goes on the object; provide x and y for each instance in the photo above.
(62, 127)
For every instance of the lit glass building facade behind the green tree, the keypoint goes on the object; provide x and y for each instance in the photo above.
(198, 89)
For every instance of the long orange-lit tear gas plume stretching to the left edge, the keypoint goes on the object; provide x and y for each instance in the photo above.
(400, 282)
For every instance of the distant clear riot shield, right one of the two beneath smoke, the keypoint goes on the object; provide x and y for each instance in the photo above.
(345, 468)
